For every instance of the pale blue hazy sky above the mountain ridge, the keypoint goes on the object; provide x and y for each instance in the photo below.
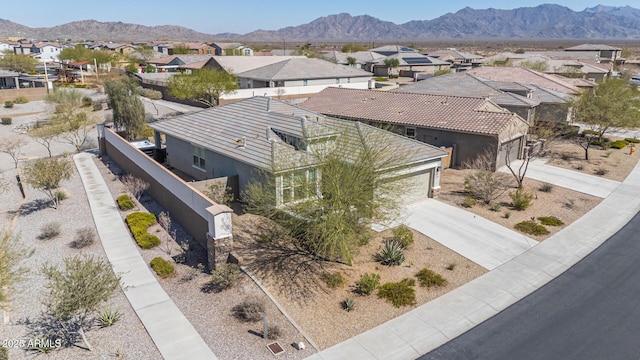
(243, 16)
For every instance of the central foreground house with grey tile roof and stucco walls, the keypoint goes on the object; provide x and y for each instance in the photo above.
(255, 136)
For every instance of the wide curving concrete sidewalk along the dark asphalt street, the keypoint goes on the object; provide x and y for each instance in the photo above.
(425, 328)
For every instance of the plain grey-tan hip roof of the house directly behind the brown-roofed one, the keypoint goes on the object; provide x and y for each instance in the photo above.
(303, 68)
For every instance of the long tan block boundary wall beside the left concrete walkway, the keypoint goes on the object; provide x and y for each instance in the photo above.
(185, 204)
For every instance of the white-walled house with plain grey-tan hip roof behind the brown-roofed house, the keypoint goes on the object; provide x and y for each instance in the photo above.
(301, 72)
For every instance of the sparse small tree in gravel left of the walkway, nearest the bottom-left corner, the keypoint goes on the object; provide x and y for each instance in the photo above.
(77, 291)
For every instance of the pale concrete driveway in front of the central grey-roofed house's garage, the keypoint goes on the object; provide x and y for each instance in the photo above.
(482, 241)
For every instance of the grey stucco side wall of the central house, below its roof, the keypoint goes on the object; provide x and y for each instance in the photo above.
(180, 156)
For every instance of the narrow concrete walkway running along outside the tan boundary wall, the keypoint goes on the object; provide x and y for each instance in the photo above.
(170, 330)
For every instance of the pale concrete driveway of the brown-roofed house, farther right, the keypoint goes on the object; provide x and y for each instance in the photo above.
(574, 180)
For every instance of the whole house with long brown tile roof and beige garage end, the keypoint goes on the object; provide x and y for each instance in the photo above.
(471, 125)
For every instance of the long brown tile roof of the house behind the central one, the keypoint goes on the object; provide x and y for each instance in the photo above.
(456, 113)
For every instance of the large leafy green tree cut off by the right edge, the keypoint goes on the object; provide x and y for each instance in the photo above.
(612, 104)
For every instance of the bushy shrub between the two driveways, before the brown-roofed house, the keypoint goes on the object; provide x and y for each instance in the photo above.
(482, 181)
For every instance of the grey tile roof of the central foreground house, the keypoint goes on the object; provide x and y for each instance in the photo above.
(257, 119)
